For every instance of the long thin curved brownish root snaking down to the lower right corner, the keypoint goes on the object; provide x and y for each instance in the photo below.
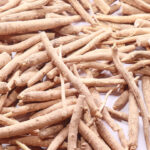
(134, 89)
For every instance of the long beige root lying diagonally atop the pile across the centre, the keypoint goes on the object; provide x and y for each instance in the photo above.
(69, 75)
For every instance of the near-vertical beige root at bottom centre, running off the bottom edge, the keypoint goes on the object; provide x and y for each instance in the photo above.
(74, 123)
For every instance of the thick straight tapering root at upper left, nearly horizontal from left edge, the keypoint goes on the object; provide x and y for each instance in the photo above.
(35, 25)
